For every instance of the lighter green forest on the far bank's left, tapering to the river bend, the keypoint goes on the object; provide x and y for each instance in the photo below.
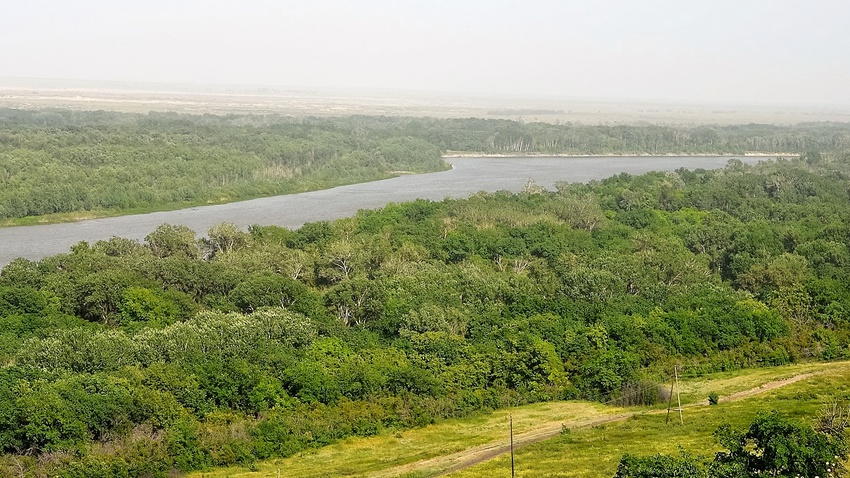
(63, 161)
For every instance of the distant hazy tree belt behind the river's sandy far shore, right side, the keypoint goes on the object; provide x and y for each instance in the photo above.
(506, 136)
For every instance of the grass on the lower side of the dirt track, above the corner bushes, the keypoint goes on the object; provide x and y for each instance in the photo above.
(595, 452)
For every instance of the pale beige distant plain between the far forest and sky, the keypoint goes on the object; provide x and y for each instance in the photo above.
(222, 99)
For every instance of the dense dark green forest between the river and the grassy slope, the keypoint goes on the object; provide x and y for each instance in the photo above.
(124, 358)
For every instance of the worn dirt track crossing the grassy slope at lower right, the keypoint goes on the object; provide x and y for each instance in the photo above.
(475, 455)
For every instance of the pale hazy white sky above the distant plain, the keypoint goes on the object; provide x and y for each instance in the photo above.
(759, 51)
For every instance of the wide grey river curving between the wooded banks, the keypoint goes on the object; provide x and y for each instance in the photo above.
(467, 176)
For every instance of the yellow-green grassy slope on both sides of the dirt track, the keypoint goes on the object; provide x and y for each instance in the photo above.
(586, 452)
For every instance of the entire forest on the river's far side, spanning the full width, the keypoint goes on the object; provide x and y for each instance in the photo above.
(63, 162)
